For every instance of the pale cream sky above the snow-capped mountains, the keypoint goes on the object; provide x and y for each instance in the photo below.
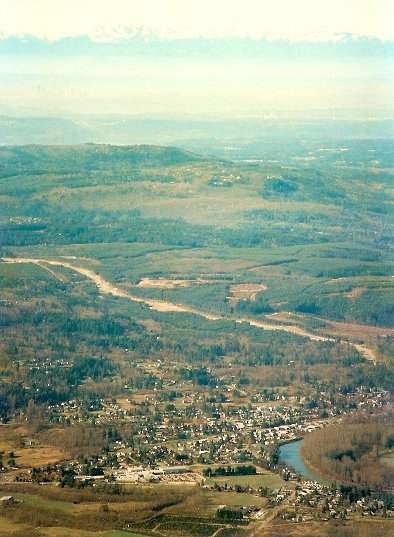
(289, 19)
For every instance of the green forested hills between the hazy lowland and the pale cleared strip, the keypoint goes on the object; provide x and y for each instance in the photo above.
(315, 238)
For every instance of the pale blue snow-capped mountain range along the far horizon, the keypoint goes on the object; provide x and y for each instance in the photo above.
(136, 45)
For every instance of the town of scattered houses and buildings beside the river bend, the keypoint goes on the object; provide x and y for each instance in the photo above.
(183, 434)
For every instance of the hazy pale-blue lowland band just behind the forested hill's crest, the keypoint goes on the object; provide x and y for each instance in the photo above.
(112, 129)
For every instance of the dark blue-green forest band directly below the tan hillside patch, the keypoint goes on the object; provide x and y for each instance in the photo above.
(103, 226)
